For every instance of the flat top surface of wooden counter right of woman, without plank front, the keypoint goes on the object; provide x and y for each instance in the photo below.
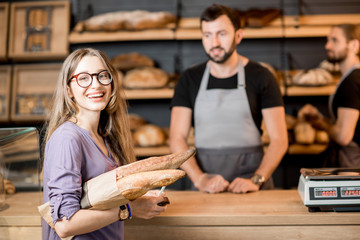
(267, 207)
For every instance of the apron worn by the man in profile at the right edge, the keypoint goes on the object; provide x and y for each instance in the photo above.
(347, 156)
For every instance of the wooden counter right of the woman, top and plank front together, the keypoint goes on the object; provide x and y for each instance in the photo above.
(275, 214)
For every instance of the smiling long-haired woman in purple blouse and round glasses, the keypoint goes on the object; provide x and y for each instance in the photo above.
(88, 134)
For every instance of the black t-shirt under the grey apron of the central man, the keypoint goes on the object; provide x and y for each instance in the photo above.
(261, 88)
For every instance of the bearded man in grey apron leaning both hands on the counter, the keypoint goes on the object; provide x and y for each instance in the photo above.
(226, 99)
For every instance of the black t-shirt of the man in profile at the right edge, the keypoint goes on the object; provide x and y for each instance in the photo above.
(348, 96)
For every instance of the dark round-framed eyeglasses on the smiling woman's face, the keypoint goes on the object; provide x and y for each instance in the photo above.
(84, 80)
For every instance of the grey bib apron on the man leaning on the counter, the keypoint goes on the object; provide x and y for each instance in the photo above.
(227, 140)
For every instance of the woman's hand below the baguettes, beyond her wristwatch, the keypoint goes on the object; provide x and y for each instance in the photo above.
(146, 206)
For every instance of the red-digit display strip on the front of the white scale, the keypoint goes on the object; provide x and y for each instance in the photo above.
(323, 193)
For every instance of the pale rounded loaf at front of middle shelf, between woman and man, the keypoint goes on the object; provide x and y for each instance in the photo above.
(145, 78)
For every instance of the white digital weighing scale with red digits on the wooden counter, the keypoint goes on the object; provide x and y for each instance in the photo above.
(330, 189)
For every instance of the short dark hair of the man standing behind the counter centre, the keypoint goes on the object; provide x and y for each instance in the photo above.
(214, 11)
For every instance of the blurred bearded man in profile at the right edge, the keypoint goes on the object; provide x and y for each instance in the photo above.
(344, 105)
